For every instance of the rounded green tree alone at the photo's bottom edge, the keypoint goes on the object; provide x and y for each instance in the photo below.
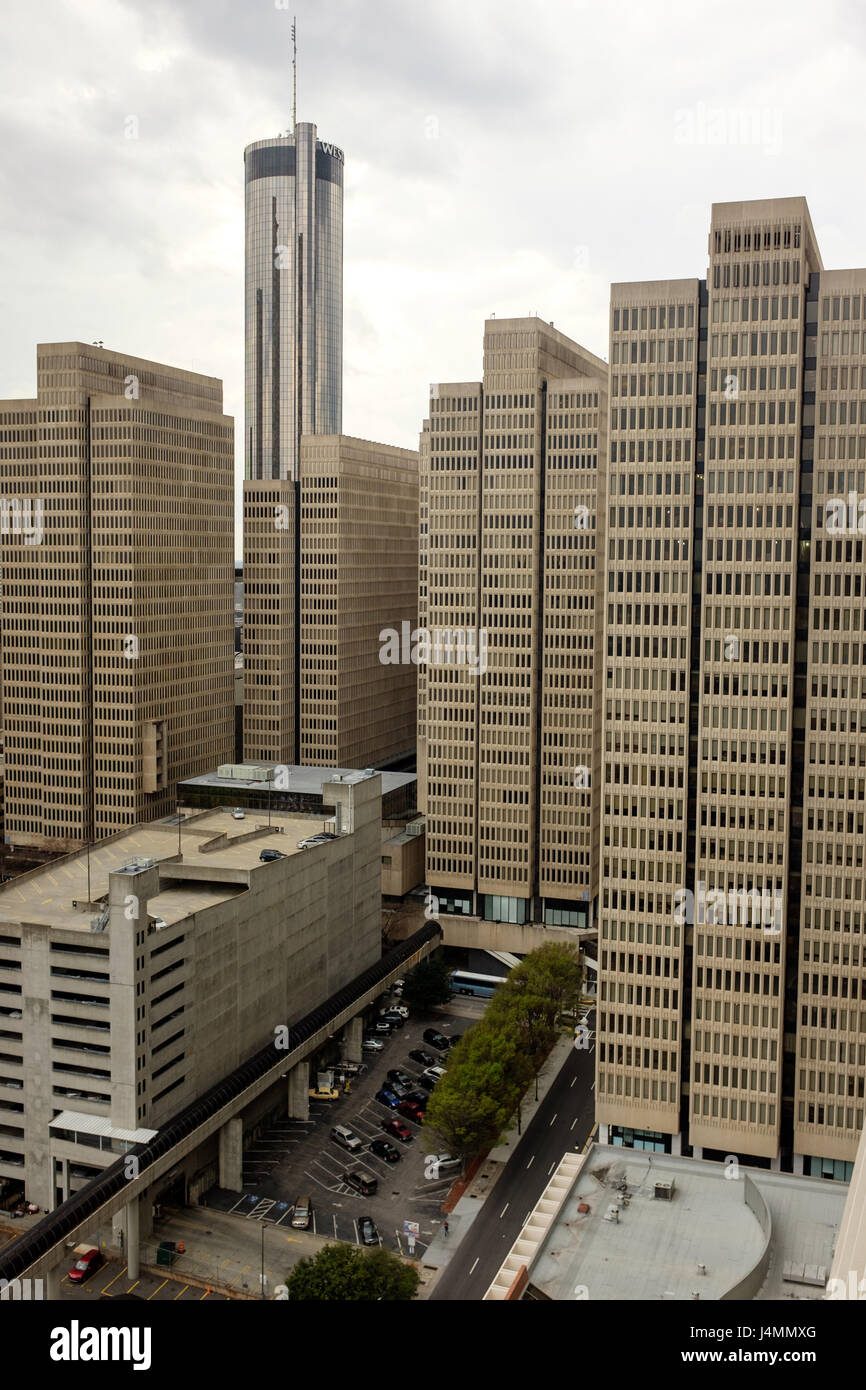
(345, 1274)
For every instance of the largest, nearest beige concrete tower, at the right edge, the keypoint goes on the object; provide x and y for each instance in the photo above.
(730, 974)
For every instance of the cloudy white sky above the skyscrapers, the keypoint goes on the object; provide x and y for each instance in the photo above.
(500, 158)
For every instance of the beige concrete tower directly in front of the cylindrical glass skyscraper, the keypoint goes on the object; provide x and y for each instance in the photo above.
(319, 591)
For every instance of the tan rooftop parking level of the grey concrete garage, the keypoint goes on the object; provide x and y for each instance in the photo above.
(45, 896)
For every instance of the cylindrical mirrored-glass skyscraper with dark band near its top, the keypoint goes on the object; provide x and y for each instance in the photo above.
(294, 298)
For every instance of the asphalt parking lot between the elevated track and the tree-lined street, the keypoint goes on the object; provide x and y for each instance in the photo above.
(298, 1159)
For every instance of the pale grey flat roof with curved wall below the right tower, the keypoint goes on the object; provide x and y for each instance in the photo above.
(655, 1248)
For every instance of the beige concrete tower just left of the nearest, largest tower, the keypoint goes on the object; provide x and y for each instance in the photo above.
(509, 589)
